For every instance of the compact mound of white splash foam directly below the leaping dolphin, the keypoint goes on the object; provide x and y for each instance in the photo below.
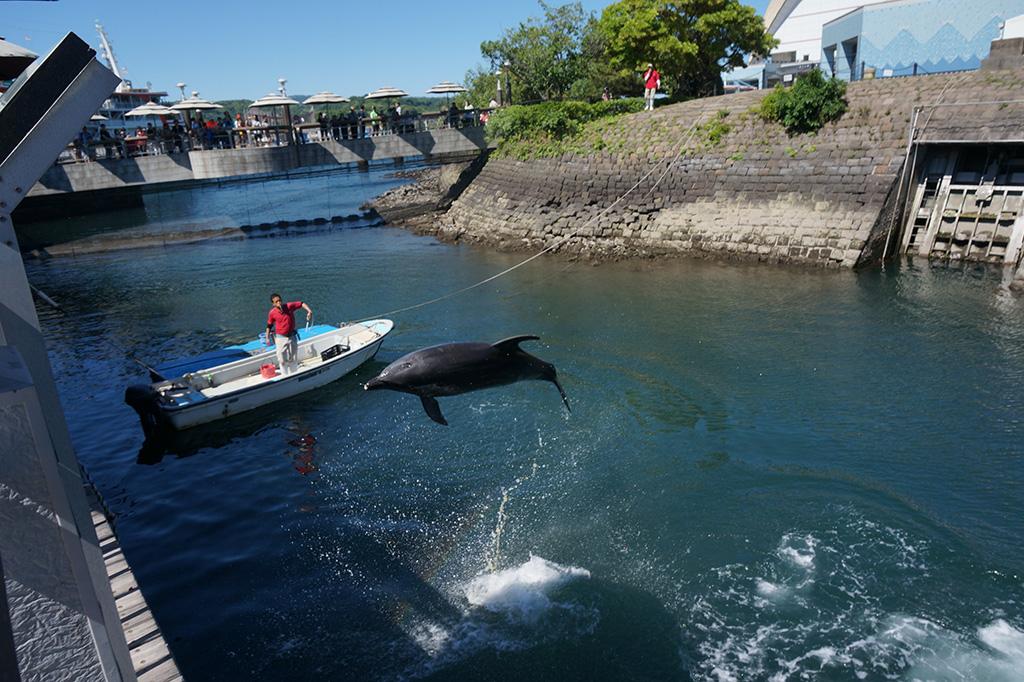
(521, 593)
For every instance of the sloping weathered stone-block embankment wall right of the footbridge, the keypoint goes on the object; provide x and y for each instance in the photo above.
(756, 193)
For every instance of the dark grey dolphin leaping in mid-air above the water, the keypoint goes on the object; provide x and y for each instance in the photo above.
(452, 369)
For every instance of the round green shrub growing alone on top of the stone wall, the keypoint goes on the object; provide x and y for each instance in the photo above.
(809, 105)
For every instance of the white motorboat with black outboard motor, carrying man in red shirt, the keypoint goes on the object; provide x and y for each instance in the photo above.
(211, 394)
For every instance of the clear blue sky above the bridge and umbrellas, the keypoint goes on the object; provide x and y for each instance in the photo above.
(230, 51)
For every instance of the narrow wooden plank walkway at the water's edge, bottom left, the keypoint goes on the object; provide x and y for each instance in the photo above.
(150, 656)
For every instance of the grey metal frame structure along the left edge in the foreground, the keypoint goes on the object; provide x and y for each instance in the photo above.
(38, 115)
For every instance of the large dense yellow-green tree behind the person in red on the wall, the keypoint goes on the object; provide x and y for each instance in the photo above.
(690, 41)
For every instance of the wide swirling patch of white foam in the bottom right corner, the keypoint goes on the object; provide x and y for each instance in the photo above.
(815, 608)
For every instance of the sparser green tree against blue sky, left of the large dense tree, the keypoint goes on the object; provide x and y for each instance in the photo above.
(545, 56)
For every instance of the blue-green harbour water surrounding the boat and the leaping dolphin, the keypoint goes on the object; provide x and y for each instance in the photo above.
(769, 474)
